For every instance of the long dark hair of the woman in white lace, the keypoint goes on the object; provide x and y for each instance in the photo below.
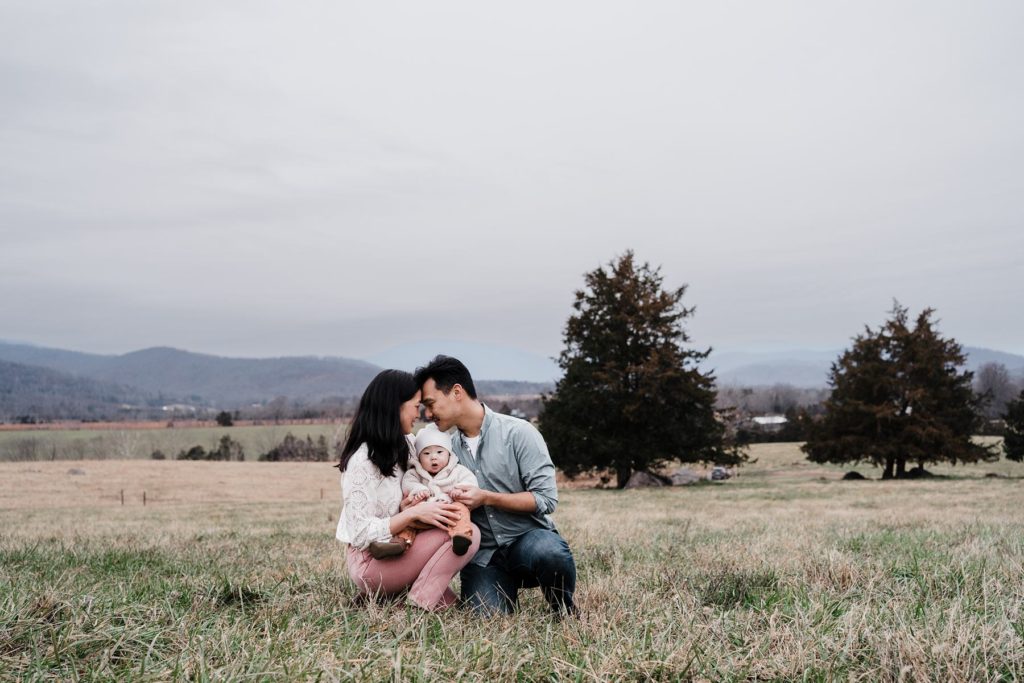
(377, 423)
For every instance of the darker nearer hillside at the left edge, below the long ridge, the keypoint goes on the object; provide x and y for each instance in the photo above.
(50, 395)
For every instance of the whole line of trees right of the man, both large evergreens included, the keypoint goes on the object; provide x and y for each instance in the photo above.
(633, 398)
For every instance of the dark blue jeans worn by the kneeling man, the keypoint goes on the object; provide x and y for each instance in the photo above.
(540, 559)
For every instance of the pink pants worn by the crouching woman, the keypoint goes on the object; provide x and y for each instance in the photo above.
(426, 569)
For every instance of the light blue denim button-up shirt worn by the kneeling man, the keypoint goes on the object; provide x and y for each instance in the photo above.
(511, 457)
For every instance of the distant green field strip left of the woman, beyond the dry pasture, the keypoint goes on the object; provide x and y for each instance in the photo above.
(131, 444)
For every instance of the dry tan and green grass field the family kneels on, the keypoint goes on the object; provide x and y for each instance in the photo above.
(231, 572)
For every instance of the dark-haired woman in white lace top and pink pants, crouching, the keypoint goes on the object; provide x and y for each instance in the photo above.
(373, 461)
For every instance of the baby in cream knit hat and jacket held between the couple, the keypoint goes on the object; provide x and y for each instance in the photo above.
(431, 477)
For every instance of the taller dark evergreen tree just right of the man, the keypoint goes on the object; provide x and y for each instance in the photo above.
(631, 397)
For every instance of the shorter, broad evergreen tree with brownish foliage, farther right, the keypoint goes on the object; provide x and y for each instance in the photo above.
(899, 396)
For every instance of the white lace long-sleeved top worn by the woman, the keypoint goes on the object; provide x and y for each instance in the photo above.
(369, 501)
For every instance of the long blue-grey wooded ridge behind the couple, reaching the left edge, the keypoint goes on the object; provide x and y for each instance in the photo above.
(196, 378)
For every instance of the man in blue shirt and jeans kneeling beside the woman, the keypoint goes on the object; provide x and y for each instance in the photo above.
(520, 546)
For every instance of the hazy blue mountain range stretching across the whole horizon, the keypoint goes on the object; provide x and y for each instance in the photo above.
(78, 385)
